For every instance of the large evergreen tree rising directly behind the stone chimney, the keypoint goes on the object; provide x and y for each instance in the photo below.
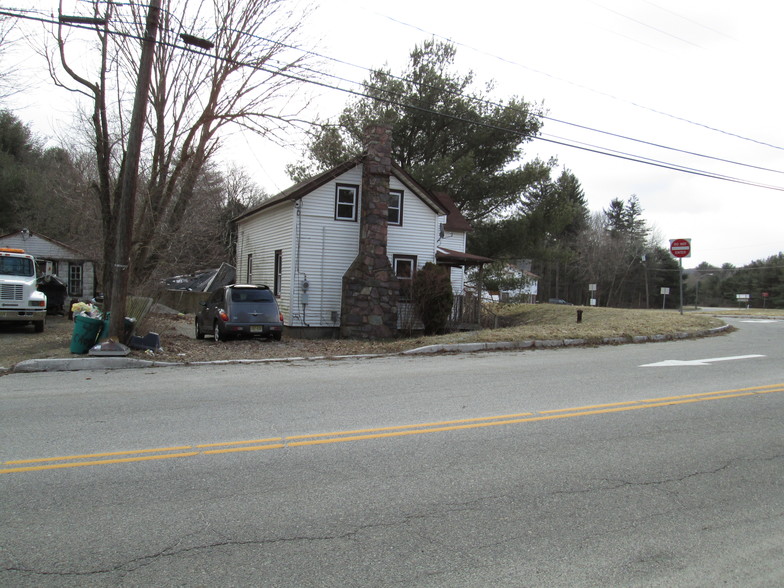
(446, 135)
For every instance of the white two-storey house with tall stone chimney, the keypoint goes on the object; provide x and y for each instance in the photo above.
(341, 249)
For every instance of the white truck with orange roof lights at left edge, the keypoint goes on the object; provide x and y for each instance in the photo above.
(20, 300)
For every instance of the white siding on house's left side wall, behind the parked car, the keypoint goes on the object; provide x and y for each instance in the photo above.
(261, 235)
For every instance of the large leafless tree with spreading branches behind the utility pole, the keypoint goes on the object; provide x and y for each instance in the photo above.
(239, 68)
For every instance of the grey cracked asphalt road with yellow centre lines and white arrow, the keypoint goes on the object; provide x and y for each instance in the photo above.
(634, 465)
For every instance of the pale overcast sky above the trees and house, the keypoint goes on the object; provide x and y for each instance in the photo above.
(696, 76)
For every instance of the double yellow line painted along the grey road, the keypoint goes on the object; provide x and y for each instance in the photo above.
(115, 457)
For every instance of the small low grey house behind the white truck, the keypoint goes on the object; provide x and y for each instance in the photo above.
(73, 268)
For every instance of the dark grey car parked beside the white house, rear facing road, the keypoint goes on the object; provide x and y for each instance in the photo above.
(240, 310)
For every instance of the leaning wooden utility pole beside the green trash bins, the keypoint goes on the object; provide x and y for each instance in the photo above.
(127, 203)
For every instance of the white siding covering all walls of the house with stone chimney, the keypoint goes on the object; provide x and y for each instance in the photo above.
(320, 249)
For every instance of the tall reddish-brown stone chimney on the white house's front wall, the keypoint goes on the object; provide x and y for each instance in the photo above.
(370, 288)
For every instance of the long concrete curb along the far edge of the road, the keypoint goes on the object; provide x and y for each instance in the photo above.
(120, 363)
